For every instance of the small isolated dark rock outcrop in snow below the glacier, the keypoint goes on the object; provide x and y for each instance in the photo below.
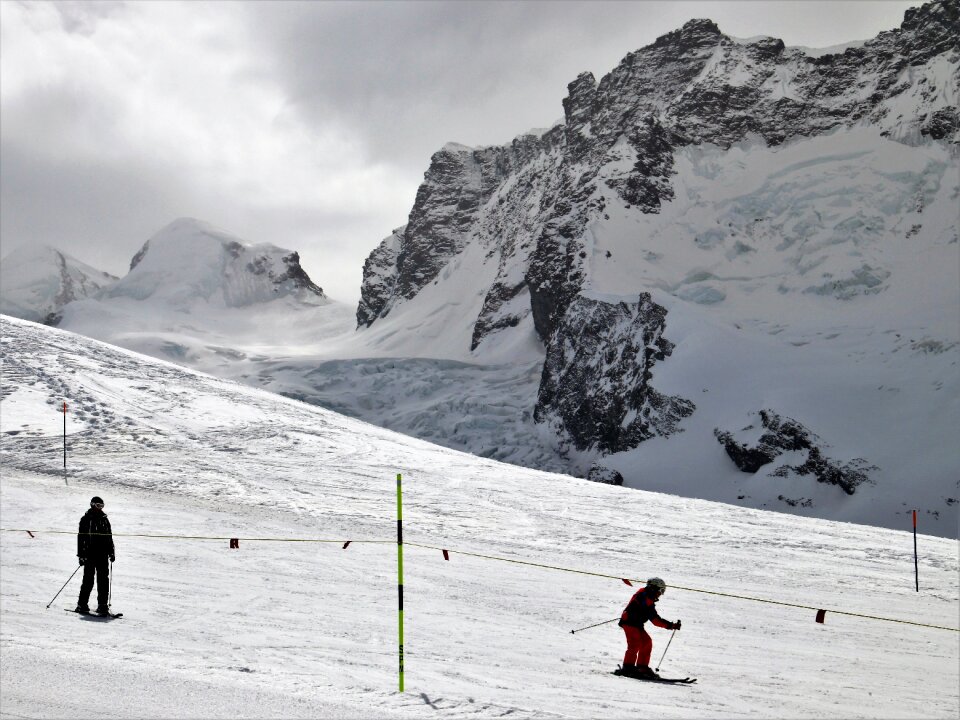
(780, 435)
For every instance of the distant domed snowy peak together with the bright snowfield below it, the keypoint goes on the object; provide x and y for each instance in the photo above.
(198, 295)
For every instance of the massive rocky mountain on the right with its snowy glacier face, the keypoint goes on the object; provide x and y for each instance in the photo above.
(709, 205)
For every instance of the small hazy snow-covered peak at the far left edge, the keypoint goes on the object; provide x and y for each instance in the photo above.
(37, 281)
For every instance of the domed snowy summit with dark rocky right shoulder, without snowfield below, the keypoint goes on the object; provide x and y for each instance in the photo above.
(190, 261)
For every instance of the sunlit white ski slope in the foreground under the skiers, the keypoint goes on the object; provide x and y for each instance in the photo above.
(309, 629)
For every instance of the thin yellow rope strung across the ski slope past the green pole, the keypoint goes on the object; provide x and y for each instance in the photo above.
(497, 559)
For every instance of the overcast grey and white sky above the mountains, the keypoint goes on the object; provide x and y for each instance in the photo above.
(304, 124)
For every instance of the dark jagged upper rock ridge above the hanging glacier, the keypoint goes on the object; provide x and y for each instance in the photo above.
(692, 86)
